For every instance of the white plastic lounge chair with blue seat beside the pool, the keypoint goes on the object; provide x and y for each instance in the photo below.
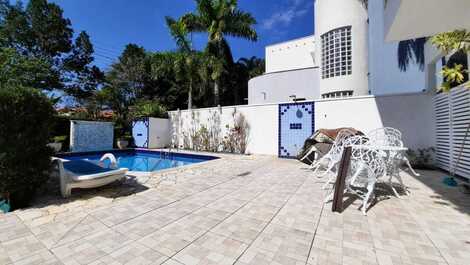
(85, 174)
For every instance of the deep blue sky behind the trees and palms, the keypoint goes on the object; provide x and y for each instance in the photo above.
(112, 24)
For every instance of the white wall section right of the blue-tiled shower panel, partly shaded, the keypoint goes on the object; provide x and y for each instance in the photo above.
(412, 114)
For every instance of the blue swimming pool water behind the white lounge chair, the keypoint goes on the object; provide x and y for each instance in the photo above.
(142, 160)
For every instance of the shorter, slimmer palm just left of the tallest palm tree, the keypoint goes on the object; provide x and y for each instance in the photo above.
(188, 62)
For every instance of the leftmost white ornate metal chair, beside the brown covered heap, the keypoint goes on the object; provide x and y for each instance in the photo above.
(332, 158)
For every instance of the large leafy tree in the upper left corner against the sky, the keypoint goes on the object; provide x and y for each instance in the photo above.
(40, 34)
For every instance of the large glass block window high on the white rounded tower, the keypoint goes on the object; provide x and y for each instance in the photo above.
(336, 56)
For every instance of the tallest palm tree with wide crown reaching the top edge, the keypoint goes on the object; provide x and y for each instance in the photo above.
(220, 18)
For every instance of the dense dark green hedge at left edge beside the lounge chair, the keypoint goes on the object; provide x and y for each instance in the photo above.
(26, 119)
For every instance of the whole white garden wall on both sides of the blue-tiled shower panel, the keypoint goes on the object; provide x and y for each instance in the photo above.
(412, 114)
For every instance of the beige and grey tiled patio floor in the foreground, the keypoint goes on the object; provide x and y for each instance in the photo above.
(239, 210)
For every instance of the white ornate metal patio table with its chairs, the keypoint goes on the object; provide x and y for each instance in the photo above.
(375, 156)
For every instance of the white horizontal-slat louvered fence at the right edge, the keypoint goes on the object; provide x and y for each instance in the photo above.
(452, 114)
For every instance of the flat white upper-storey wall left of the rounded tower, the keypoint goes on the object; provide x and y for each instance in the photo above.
(290, 55)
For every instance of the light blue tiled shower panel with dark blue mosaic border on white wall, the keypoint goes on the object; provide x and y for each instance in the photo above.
(296, 124)
